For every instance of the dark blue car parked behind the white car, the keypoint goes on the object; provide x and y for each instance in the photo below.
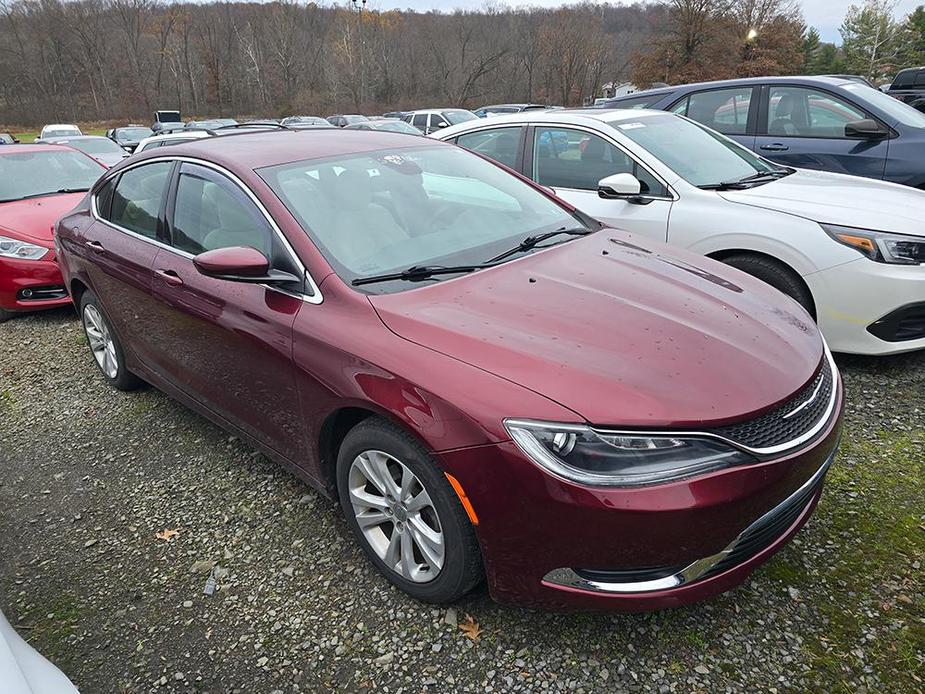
(826, 123)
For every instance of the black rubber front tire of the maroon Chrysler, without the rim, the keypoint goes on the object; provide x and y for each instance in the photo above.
(462, 559)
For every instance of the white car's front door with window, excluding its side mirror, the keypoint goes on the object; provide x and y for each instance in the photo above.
(572, 160)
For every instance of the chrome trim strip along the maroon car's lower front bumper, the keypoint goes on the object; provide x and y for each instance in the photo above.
(569, 578)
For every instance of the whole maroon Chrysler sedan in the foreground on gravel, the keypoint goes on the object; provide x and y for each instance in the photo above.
(492, 384)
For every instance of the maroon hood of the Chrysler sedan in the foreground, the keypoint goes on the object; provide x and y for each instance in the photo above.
(621, 331)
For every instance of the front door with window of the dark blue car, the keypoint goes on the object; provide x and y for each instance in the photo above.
(805, 127)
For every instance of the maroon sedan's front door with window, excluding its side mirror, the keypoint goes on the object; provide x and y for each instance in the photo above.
(228, 344)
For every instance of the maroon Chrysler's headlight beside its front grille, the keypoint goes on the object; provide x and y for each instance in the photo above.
(581, 454)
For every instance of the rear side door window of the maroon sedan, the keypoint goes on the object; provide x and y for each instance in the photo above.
(136, 201)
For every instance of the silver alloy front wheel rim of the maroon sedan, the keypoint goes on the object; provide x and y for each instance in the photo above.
(396, 516)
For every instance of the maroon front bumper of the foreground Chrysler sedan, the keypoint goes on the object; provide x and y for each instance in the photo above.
(551, 543)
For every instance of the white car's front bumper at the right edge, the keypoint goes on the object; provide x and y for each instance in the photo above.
(857, 302)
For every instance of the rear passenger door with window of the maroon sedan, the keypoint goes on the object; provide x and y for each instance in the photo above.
(121, 245)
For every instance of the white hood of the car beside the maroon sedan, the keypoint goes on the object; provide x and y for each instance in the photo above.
(831, 198)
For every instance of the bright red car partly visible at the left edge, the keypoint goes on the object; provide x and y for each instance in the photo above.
(38, 184)
